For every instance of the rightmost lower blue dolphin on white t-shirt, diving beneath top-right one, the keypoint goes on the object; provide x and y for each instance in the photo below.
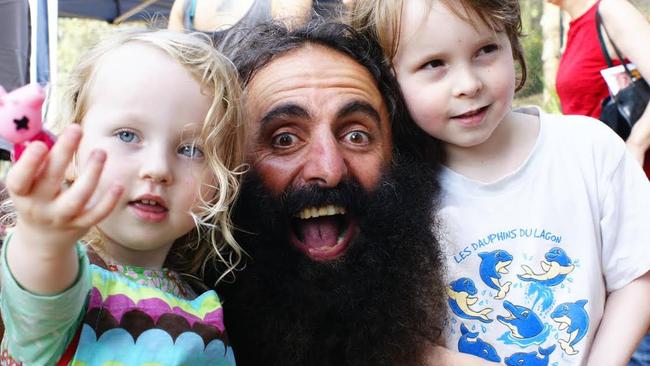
(574, 317)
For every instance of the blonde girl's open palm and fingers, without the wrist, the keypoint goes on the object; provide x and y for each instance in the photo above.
(47, 210)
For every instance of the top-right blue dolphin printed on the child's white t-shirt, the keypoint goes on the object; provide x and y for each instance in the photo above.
(555, 269)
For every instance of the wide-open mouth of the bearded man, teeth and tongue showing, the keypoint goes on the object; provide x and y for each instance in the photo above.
(322, 233)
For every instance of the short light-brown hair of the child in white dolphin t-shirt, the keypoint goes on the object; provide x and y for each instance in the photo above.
(382, 20)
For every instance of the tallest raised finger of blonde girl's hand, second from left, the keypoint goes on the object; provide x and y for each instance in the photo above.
(57, 161)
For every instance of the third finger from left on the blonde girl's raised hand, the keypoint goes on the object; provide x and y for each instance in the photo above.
(71, 202)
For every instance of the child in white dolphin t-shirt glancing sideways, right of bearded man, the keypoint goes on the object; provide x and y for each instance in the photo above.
(547, 216)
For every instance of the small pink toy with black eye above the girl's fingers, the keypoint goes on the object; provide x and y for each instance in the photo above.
(20, 118)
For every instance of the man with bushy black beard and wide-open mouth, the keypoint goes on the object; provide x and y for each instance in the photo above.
(335, 211)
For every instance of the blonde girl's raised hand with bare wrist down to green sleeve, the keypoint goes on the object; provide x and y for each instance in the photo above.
(41, 253)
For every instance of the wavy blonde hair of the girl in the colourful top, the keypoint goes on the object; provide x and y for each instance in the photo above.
(221, 138)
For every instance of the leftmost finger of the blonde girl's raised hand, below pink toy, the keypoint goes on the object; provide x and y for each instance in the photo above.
(20, 178)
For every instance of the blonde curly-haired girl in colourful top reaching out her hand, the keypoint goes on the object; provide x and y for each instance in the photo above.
(126, 209)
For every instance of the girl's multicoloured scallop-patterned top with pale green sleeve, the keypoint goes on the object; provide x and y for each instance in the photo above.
(132, 316)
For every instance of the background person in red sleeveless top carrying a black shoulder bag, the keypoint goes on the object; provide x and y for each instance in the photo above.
(579, 84)
